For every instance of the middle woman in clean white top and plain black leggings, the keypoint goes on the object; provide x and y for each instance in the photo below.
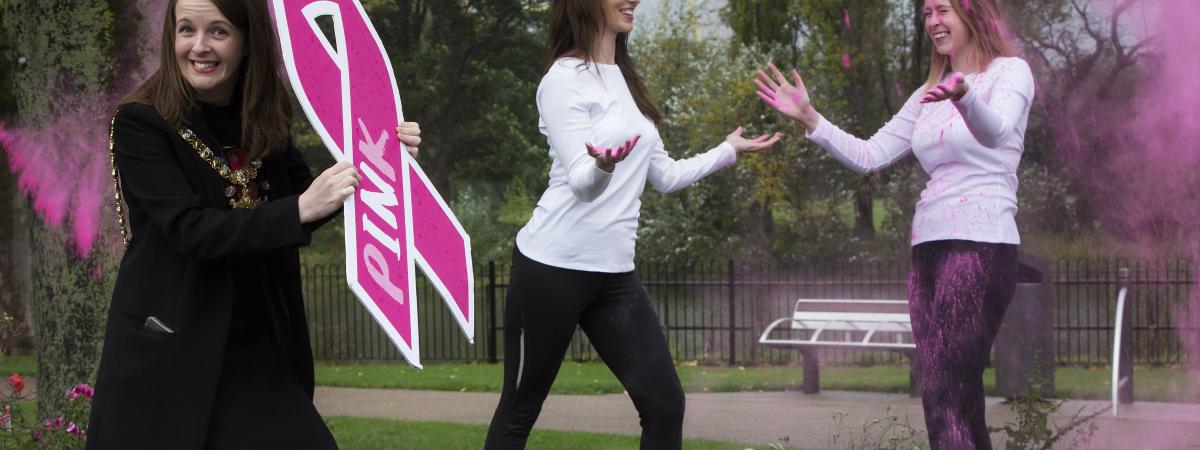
(574, 261)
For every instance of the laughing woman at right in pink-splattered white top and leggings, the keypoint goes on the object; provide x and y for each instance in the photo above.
(967, 127)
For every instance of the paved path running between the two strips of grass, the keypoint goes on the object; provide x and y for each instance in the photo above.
(757, 419)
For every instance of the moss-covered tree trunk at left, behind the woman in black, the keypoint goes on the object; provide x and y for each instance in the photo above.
(69, 58)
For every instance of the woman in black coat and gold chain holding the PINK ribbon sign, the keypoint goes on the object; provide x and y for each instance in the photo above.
(207, 344)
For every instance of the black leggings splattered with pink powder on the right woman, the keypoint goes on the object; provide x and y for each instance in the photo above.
(958, 292)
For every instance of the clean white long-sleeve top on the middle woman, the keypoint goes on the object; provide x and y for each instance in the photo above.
(587, 219)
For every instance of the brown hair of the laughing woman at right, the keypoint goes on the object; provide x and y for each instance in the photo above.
(989, 38)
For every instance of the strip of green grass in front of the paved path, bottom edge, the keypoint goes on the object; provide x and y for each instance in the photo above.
(381, 434)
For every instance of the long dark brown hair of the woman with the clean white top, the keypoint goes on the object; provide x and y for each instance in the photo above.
(575, 26)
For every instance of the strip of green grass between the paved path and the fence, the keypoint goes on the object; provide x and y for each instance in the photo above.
(1157, 385)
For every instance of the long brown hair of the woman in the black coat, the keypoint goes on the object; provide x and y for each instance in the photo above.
(266, 107)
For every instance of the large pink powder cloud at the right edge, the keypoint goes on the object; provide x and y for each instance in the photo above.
(1137, 159)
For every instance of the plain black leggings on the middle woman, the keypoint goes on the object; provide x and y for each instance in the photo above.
(544, 305)
